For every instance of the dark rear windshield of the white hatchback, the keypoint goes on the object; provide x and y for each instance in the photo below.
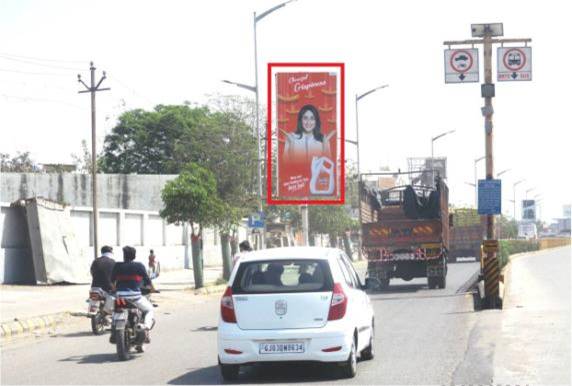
(279, 276)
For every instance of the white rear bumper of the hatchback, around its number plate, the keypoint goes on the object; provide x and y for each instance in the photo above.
(246, 344)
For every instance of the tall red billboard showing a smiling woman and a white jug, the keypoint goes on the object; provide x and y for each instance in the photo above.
(305, 133)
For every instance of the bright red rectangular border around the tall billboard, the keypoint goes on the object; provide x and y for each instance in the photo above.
(269, 199)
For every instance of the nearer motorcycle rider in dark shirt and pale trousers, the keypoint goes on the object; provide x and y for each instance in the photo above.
(128, 277)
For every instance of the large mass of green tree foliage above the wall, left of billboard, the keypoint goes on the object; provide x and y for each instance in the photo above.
(162, 141)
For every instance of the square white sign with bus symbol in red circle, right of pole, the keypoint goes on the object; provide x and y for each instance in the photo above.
(514, 63)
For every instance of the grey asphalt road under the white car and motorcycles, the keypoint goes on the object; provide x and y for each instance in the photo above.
(422, 337)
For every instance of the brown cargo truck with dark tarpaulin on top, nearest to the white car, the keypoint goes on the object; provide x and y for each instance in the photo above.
(405, 233)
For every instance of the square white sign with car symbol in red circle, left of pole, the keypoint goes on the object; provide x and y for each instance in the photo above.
(462, 65)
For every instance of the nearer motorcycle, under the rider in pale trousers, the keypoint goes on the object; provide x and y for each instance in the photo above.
(126, 325)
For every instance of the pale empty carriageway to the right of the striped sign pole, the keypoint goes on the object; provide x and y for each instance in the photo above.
(533, 345)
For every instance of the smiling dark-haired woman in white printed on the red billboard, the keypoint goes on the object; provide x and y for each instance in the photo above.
(307, 141)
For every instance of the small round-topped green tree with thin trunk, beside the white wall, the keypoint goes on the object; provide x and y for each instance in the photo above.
(192, 198)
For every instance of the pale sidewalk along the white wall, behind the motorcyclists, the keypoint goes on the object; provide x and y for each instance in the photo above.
(25, 302)
